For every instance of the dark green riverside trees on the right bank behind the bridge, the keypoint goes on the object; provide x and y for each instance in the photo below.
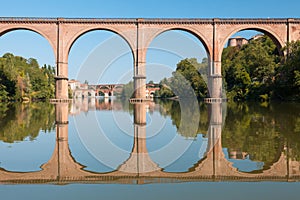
(253, 72)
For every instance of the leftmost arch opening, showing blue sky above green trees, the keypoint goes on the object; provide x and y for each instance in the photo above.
(27, 65)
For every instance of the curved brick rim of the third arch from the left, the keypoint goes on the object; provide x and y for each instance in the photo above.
(197, 34)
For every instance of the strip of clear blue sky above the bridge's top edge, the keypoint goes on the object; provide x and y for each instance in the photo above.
(153, 8)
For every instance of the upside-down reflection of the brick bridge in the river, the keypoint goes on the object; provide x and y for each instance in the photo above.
(140, 169)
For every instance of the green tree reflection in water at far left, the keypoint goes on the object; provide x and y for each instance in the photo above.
(19, 121)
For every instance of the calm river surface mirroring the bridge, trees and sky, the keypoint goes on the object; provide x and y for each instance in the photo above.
(109, 149)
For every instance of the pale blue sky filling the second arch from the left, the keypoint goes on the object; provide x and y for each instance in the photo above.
(100, 56)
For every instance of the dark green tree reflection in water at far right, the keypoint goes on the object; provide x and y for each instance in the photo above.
(262, 132)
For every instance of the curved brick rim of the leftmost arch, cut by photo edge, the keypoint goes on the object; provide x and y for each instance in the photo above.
(35, 30)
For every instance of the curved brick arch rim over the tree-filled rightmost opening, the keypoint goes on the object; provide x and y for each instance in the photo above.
(274, 36)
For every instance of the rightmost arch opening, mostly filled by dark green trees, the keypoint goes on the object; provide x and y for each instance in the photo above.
(250, 58)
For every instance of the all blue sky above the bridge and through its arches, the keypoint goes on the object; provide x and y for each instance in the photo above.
(28, 44)
